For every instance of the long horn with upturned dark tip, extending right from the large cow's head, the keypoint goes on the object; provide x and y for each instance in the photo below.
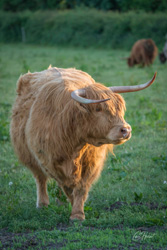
(125, 89)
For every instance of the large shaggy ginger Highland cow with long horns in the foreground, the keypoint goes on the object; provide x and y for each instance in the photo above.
(58, 133)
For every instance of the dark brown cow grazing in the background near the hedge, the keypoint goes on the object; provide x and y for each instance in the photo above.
(143, 52)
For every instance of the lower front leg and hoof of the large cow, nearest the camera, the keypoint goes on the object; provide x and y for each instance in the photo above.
(80, 194)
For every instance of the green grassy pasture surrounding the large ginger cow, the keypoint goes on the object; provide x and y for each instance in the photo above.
(127, 207)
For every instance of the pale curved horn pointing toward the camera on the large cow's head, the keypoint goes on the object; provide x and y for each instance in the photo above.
(76, 95)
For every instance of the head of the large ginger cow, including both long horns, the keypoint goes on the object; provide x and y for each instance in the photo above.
(104, 110)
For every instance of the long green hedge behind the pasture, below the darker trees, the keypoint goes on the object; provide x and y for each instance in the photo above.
(82, 28)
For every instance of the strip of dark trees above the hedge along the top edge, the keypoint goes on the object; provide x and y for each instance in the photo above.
(114, 5)
